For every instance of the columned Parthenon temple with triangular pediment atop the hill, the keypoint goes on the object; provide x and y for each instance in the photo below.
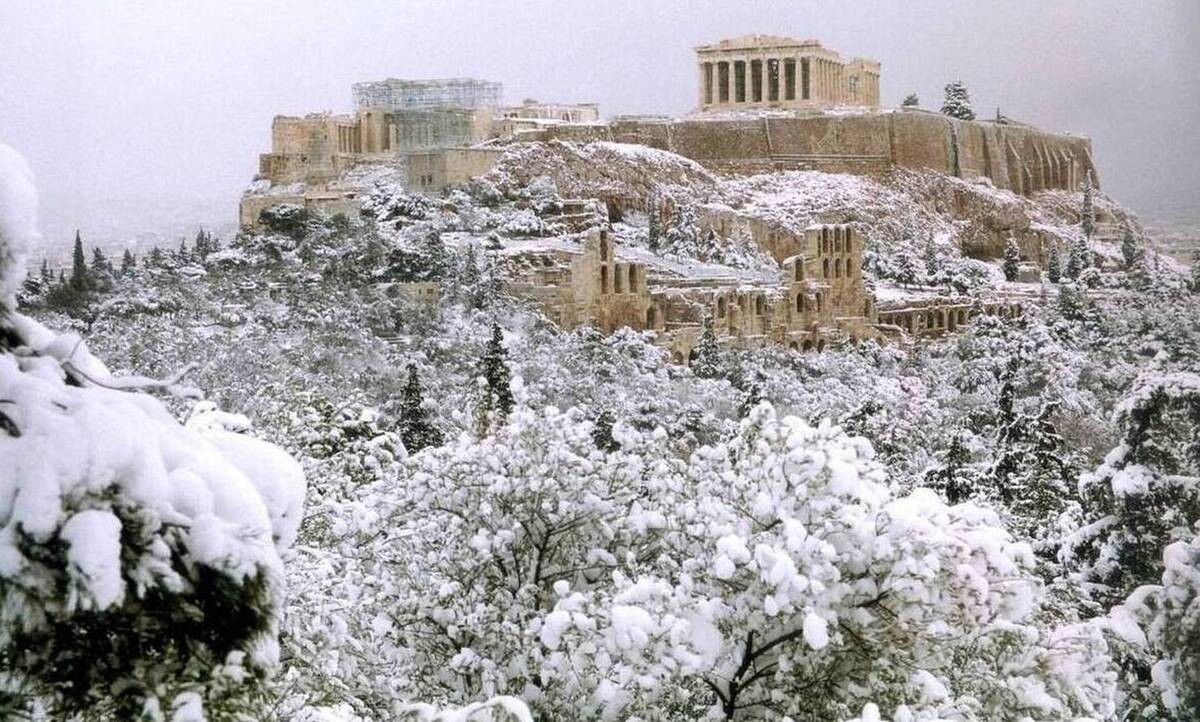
(769, 71)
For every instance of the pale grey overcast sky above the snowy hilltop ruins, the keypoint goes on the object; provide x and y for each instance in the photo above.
(137, 113)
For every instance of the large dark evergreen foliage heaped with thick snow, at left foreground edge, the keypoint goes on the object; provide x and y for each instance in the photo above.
(140, 562)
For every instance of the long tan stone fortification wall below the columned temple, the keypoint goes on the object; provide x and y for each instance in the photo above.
(1013, 157)
